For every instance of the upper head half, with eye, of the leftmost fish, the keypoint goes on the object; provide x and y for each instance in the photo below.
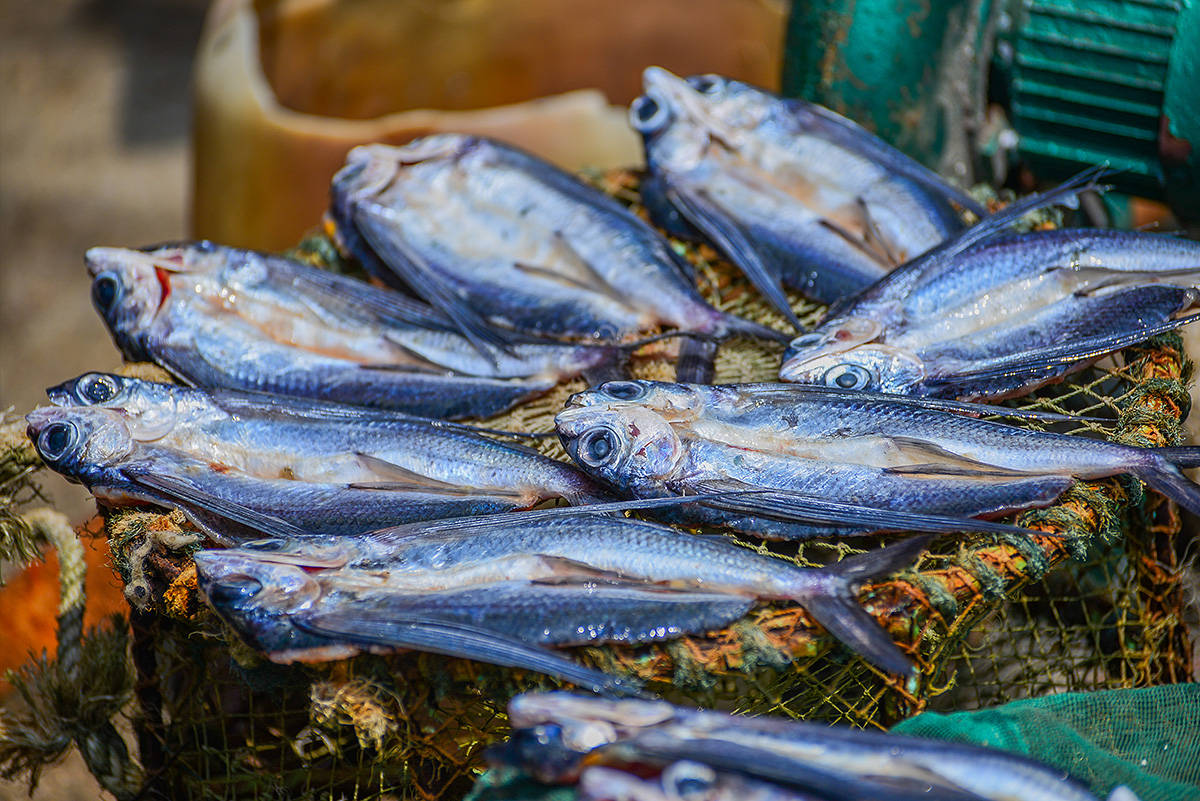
(149, 408)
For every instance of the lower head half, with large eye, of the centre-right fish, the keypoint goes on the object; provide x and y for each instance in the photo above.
(627, 447)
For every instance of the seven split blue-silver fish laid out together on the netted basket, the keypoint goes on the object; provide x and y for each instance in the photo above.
(310, 442)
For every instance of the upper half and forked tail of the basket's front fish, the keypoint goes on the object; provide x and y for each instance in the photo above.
(443, 555)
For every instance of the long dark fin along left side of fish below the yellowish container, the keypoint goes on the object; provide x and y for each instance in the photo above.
(371, 220)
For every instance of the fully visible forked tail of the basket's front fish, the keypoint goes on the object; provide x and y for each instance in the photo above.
(839, 612)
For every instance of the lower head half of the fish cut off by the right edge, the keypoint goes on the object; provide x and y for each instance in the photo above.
(872, 368)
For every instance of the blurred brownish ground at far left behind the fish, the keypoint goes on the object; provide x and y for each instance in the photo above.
(94, 119)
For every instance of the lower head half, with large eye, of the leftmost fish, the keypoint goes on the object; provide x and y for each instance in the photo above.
(82, 444)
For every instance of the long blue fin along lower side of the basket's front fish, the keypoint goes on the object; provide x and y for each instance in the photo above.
(463, 642)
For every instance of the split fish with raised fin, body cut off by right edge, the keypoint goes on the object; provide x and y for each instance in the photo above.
(1003, 314)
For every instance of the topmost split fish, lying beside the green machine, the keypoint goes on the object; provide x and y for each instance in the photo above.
(793, 194)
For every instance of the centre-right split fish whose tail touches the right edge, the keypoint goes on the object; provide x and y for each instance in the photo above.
(884, 455)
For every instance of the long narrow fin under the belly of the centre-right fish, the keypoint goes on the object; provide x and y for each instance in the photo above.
(791, 508)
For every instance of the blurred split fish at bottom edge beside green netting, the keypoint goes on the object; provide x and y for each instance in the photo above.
(559, 736)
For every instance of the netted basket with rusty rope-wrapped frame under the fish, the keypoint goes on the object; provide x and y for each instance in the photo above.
(988, 619)
